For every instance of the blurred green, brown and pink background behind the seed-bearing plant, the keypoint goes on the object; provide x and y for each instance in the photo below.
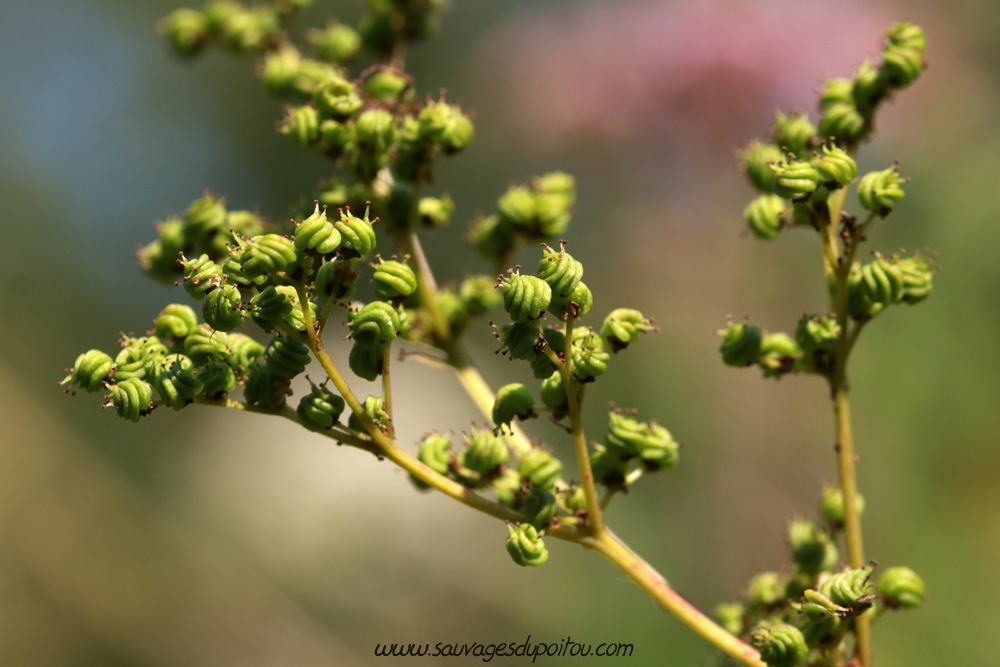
(216, 539)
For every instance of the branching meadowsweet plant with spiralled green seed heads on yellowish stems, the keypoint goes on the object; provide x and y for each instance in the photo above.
(351, 99)
